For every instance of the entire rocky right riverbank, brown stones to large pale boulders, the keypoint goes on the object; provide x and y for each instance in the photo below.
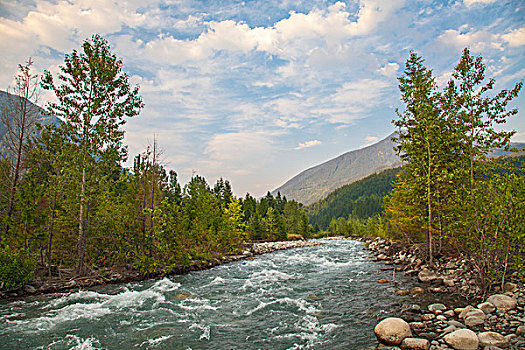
(489, 323)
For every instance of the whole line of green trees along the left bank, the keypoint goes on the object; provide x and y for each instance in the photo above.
(67, 202)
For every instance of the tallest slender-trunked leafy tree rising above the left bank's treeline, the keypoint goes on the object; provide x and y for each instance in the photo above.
(94, 96)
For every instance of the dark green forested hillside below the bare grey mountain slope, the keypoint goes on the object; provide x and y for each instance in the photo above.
(363, 199)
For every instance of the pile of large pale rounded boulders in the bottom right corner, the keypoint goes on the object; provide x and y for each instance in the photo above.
(497, 323)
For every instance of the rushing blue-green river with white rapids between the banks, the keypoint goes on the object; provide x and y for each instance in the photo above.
(322, 297)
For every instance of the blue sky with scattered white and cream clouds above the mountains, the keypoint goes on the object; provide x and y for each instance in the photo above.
(258, 91)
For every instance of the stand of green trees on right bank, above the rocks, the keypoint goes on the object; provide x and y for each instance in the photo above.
(451, 195)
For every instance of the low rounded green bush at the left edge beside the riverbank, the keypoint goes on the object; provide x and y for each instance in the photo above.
(15, 270)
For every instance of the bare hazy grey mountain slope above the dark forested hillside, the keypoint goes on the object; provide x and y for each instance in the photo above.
(316, 183)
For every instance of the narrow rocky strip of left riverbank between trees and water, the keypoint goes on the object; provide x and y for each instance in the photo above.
(66, 281)
